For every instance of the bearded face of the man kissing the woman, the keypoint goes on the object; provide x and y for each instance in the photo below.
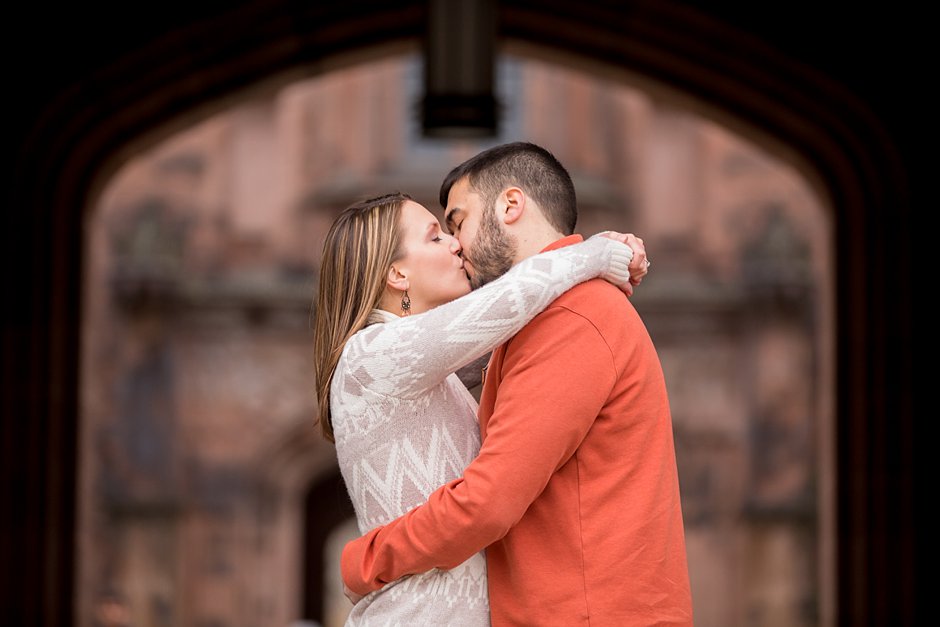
(488, 251)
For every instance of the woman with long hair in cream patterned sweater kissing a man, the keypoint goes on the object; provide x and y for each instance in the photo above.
(395, 319)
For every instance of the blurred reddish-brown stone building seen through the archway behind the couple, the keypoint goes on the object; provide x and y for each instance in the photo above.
(207, 496)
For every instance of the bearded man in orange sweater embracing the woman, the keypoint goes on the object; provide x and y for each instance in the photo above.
(575, 493)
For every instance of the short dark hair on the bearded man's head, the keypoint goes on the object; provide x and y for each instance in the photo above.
(527, 166)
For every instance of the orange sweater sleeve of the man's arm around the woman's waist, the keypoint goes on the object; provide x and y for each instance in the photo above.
(557, 374)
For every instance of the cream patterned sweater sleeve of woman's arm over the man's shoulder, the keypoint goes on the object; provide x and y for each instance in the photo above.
(405, 357)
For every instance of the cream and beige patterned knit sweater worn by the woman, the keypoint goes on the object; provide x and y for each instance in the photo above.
(405, 425)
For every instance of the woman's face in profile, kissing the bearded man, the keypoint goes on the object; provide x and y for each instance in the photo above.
(431, 265)
